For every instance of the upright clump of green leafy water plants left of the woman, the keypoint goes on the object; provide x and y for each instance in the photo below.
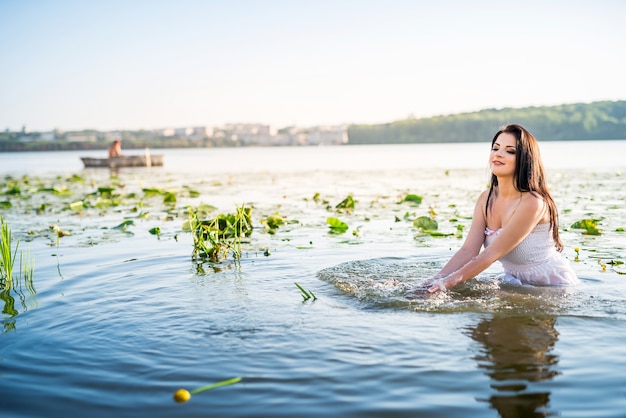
(215, 238)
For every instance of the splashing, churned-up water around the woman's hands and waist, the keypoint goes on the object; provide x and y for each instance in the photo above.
(394, 282)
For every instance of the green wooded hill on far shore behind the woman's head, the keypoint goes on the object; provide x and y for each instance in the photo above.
(590, 121)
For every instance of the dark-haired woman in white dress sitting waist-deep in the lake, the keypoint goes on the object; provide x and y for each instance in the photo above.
(516, 220)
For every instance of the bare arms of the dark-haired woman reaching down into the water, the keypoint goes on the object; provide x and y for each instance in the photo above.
(527, 215)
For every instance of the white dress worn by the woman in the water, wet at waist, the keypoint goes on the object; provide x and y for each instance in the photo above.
(535, 261)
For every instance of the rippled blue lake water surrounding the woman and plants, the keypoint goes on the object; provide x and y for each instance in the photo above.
(116, 320)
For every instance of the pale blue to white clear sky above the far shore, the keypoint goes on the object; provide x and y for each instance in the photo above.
(152, 64)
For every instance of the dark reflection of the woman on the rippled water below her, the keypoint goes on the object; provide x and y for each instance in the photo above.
(516, 352)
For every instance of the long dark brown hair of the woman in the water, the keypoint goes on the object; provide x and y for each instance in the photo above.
(529, 174)
